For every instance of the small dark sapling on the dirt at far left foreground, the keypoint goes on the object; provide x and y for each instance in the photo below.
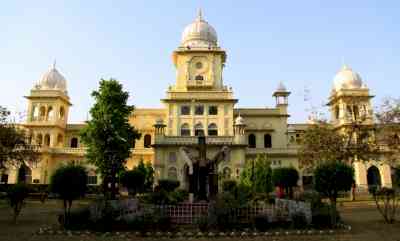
(16, 196)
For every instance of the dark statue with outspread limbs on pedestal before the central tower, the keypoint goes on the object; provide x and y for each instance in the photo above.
(203, 171)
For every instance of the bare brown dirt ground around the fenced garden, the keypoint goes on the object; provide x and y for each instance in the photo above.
(362, 216)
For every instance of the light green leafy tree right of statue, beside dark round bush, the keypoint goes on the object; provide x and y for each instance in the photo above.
(257, 174)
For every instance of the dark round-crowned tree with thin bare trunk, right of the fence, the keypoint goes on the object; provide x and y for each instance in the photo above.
(332, 178)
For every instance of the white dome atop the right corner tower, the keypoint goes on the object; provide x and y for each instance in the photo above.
(346, 78)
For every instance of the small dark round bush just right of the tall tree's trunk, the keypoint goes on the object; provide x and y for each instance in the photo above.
(133, 180)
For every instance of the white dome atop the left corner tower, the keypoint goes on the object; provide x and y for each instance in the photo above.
(52, 80)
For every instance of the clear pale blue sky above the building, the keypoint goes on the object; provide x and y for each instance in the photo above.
(301, 43)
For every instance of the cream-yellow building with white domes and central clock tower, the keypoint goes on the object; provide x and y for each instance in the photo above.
(199, 103)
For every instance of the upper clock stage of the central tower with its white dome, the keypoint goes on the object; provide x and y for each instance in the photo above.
(198, 60)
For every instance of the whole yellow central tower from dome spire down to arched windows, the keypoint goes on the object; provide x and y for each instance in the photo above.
(199, 103)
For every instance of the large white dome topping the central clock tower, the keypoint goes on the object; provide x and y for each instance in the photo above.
(199, 34)
